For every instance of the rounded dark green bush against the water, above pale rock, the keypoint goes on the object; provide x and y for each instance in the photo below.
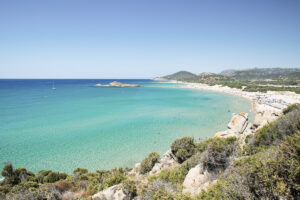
(183, 148)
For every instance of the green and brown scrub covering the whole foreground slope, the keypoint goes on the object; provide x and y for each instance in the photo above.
(266, 167)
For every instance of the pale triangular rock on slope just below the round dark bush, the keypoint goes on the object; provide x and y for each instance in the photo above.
(167, 161)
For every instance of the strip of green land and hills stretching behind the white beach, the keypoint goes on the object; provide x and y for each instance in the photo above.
(253, 80)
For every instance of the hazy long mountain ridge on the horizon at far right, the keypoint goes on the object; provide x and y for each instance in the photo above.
(263, 73)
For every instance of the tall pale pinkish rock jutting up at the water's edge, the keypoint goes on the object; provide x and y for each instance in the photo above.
(236, 126)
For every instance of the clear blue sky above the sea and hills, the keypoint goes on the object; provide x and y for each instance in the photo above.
(145, 38)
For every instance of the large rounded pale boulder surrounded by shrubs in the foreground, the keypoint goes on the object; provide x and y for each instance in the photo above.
(196, 180)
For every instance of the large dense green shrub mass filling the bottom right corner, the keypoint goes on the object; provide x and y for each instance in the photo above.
(271, 174)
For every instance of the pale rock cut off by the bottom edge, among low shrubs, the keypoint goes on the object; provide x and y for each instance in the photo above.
(112, 193)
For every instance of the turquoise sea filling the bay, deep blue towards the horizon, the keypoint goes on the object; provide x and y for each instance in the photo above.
(79, 125)
